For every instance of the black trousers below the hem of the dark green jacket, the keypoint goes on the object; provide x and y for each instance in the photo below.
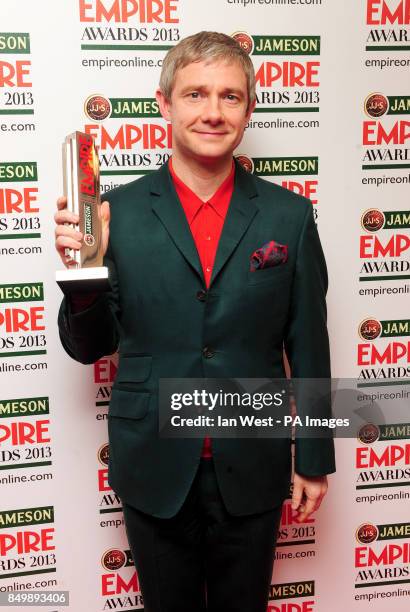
(203, 558)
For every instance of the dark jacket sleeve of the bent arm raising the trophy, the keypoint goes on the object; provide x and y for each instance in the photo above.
(94, 332)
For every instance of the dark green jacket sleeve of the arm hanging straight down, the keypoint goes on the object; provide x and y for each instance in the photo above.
(307, 349)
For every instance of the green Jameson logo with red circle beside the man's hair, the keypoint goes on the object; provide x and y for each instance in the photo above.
(278, 45)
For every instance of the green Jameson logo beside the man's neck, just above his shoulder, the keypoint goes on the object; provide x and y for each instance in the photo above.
(280, 166)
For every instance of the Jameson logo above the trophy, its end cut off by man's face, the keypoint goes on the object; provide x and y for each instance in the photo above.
(98, 107)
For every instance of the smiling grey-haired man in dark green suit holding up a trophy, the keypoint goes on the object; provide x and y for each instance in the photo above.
(212, 271)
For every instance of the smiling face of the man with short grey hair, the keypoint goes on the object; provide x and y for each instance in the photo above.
(208, 109)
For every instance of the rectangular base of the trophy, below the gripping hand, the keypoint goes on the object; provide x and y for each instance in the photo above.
(84, 280)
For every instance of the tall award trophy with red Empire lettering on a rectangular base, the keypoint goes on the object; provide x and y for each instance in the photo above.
(82, 189)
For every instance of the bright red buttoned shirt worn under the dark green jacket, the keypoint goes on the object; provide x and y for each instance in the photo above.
(205, 220)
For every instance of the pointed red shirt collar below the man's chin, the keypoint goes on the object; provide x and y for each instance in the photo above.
(191, 203)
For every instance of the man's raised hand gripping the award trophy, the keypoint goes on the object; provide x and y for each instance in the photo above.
(69, 237)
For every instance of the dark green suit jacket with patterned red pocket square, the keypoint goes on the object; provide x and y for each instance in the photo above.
(161, 325)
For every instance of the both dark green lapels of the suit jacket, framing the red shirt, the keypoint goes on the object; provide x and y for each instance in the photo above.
(241, 211)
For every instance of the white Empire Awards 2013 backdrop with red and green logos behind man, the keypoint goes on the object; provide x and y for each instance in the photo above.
(332, 122)
